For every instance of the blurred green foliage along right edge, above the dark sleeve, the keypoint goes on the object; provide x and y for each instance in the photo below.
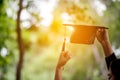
(112, 19)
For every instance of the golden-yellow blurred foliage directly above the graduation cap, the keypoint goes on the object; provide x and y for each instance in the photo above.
(80, 11)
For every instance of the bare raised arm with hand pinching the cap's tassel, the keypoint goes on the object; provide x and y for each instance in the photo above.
(63, 59)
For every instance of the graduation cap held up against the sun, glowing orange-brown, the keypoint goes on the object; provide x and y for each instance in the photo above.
(83, 34)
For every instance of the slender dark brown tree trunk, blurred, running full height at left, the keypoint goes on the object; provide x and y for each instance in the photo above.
(20, 44)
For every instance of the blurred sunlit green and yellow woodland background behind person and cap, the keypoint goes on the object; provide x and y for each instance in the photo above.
(31, 37)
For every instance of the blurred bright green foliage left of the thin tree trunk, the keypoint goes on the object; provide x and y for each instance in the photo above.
(7, 39)
